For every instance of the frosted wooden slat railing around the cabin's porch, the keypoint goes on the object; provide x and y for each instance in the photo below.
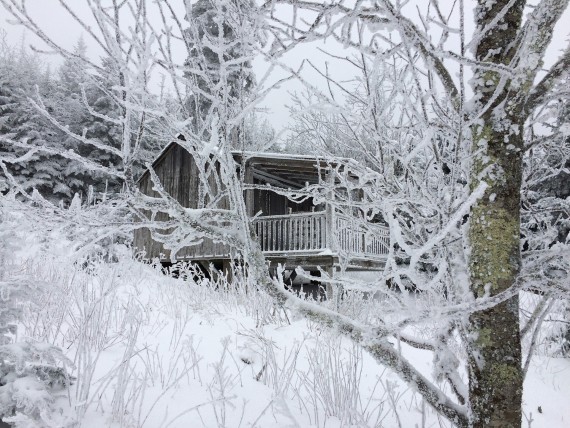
(309, 232)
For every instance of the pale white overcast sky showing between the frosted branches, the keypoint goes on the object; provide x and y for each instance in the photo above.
(58, 25)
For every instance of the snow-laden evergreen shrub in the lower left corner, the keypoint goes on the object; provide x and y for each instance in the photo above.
(33, 374)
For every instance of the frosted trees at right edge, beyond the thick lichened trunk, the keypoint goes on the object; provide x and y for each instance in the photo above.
(545, 211)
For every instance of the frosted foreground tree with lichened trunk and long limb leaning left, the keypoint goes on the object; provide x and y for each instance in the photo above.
(451, 195)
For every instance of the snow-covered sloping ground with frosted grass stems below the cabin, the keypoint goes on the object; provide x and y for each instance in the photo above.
(154, 351)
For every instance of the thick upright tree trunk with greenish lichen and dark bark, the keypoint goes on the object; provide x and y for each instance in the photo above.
(495, 372)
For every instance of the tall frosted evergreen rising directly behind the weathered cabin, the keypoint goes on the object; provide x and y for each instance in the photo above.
(218, 67)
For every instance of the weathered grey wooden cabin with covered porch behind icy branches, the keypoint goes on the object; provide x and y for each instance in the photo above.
(293, 234)
